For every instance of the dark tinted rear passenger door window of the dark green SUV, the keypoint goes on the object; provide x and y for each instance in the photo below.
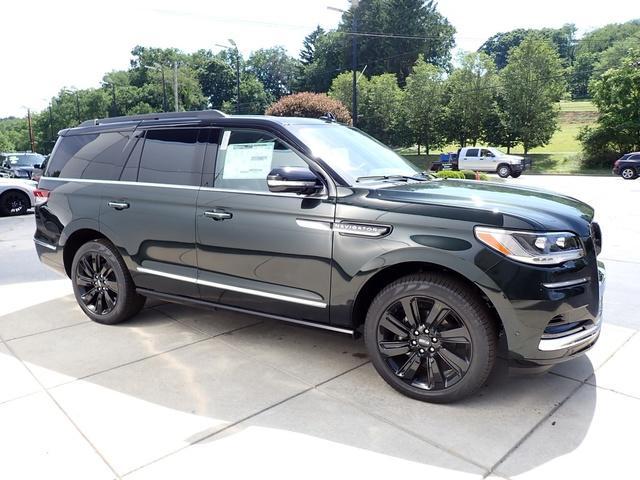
(172, 156)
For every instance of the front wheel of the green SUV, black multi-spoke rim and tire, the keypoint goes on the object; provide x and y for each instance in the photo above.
(465, 337)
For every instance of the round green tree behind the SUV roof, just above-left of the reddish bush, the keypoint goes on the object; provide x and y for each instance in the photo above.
(275, 69)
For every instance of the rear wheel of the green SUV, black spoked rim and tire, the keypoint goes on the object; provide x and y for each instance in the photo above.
(103, 285)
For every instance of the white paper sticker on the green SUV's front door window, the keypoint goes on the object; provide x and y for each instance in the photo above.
(248, 161)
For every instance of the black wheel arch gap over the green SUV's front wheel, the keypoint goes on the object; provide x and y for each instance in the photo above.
(376, 282)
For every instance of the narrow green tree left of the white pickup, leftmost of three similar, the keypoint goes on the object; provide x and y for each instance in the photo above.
(423, 103)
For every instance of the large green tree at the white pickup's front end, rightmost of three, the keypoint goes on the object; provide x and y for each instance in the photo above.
(532, 83)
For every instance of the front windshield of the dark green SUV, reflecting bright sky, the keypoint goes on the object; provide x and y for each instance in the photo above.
(352, 153)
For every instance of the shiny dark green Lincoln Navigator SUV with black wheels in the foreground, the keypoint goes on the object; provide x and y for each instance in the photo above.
(315, 223)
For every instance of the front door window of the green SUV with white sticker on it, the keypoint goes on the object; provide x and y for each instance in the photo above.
(245, 158)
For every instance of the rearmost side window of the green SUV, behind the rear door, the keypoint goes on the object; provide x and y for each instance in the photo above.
(96, 156)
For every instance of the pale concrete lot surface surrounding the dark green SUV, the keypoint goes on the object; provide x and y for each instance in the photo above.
(187, 393)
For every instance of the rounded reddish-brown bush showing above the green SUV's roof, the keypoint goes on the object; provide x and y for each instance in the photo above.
(311, 105)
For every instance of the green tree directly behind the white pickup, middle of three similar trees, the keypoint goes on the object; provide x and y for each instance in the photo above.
(471, 99)
